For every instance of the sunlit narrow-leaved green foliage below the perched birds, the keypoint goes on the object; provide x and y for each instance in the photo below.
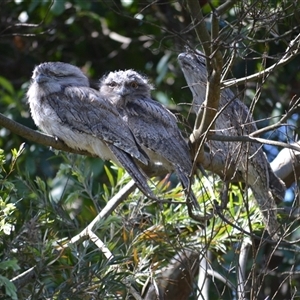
(141, 236)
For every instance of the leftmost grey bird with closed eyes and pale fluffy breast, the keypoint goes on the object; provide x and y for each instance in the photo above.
(63, 105)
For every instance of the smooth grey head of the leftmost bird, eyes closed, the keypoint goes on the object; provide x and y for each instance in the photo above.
(52, 77)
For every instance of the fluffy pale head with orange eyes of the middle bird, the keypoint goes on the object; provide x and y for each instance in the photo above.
(120, 86)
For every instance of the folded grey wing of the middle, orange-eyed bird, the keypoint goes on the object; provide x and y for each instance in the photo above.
(155, 128)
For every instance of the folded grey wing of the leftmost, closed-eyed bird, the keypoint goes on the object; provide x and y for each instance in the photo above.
(83, 110)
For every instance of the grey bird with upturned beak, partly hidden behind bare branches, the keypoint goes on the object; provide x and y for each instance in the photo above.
(248, 159)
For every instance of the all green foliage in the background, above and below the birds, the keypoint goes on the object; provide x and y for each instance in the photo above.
(47, 198)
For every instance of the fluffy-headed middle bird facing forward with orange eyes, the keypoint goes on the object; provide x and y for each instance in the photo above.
(153, 125)
